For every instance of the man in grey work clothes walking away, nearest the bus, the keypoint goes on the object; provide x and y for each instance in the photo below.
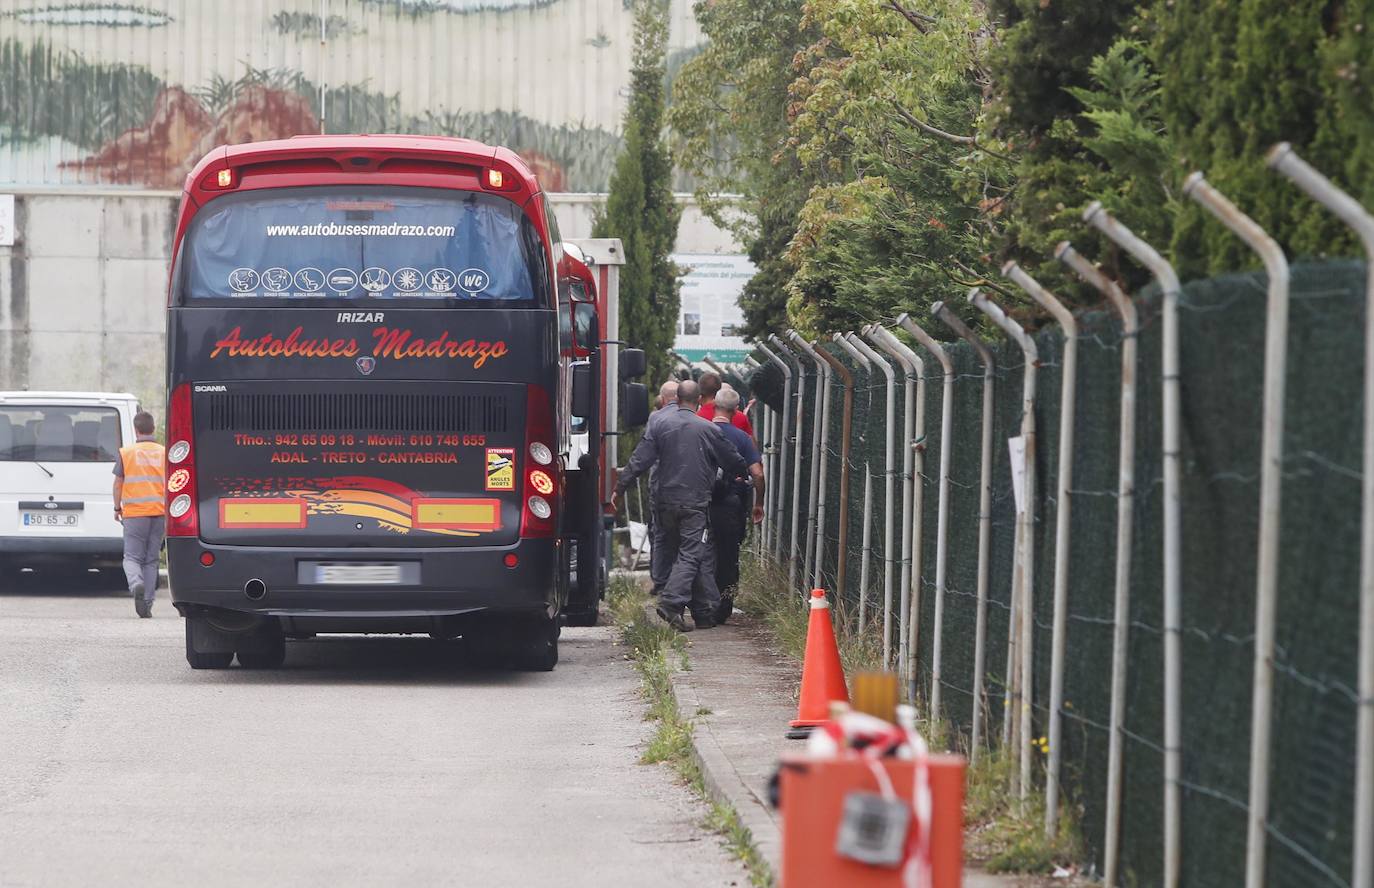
(688, 453)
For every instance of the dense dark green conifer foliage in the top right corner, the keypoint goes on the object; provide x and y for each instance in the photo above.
(1239, 78)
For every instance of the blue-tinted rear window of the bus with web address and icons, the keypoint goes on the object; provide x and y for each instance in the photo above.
(306, 245)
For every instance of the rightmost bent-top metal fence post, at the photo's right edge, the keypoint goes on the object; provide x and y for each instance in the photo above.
(1284, 160)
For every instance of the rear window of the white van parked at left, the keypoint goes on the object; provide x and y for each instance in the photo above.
(58, 434)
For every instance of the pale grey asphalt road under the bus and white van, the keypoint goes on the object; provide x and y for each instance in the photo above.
(363, 762)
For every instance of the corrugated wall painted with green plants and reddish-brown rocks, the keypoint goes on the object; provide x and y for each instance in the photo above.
(133, 94)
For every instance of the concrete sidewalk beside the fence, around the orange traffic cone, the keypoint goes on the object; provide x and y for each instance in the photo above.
(741, 696)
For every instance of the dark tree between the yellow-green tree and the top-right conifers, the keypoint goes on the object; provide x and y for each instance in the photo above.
(1055, 93)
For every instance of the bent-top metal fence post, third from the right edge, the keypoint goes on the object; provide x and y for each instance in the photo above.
(1170, 291)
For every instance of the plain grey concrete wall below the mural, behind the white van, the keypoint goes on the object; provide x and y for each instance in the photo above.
(83, 291)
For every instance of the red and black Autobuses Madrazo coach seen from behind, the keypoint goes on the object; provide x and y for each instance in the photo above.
(373, 375)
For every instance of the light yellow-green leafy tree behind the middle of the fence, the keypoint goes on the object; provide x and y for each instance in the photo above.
(910, 192)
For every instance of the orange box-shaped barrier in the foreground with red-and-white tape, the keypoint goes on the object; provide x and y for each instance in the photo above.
(813, 799)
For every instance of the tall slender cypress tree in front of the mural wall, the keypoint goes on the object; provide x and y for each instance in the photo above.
(641, 210)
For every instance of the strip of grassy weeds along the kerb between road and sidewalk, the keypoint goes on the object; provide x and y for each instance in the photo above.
(655, 650)
